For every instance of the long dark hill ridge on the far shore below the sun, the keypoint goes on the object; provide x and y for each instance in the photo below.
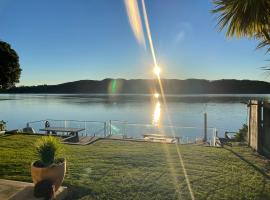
(145, 86)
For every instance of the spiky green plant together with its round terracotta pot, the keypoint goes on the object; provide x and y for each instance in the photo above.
(48, 166)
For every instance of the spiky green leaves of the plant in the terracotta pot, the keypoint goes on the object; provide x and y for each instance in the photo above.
(47, 148)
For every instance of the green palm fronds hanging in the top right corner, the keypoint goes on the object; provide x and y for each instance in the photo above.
(245, 18)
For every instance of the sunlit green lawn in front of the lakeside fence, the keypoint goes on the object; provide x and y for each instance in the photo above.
(132, 170)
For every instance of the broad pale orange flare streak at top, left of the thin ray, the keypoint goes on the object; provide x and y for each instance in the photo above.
(135, 20)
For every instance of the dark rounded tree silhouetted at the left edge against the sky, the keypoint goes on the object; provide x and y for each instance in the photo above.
(10, 70)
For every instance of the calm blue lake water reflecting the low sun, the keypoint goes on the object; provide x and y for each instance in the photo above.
(225, 112)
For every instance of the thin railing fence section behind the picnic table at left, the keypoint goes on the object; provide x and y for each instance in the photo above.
(91, 128)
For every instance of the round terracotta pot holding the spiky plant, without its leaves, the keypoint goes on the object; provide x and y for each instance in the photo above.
(54, 173)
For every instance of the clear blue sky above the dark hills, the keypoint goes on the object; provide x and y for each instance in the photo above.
(66, 40)
